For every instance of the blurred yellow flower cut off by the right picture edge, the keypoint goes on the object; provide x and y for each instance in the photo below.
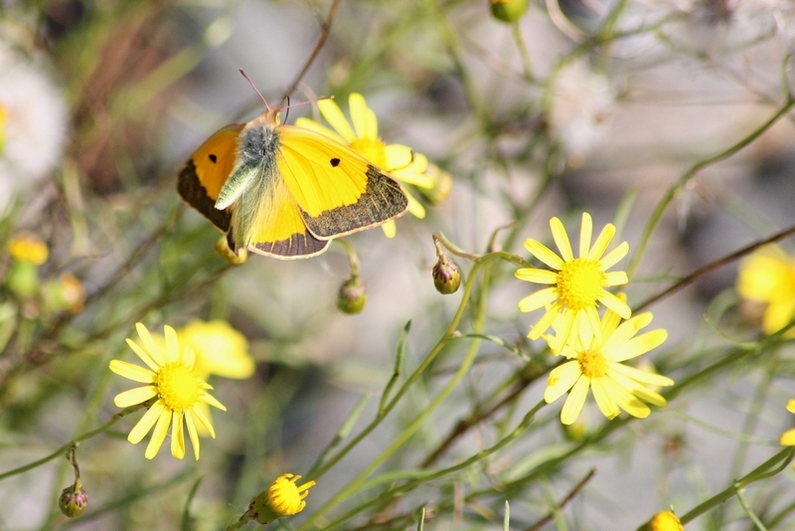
(768, 276)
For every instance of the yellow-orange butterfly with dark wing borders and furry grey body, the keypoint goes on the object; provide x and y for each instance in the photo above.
(284, 191)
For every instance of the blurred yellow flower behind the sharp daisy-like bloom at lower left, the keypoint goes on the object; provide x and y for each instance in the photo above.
(219, 348)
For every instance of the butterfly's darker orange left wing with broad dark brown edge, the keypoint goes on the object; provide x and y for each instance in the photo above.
(205, 173)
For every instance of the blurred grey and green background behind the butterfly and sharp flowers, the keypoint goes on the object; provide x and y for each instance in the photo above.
(597, 106)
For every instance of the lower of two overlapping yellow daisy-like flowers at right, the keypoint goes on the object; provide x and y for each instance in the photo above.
(596, 363)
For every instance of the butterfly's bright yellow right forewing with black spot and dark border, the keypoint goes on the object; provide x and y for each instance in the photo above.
(338, 191)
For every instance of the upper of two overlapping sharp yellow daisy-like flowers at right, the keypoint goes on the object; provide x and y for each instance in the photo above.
(577, 285)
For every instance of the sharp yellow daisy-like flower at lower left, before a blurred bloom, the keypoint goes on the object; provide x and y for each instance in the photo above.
(178, 389)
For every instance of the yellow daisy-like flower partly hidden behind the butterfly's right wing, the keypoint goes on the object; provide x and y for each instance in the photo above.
(398, 160)
